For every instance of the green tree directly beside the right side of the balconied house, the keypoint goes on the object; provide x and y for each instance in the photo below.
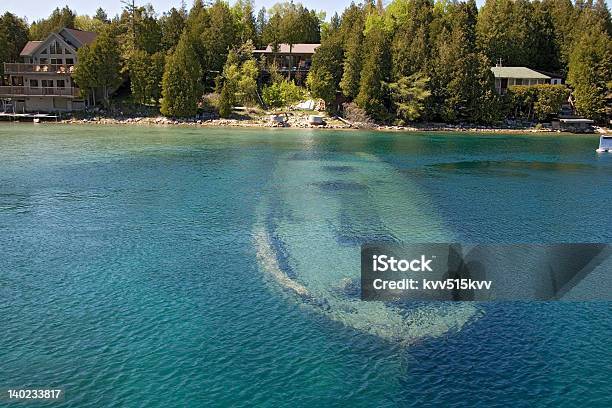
(99, 64)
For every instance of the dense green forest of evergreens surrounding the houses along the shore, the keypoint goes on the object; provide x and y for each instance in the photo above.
(413, 60)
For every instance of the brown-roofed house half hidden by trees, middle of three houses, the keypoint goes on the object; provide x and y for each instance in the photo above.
(296, 59)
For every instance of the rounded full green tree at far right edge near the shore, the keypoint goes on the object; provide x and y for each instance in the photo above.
(590, 70)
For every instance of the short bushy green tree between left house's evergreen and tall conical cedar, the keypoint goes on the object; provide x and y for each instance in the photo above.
(146, 72)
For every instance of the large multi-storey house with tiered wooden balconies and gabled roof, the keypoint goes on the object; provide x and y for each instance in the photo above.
(43, 82)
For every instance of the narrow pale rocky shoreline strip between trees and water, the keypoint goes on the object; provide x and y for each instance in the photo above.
(262, 124)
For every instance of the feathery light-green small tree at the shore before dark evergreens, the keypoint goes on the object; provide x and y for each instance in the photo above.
(408, 95)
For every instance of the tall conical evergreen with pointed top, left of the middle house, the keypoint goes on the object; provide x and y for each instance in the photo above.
(181, 89)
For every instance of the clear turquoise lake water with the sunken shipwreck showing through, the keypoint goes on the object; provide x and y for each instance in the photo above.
(151, 266)
